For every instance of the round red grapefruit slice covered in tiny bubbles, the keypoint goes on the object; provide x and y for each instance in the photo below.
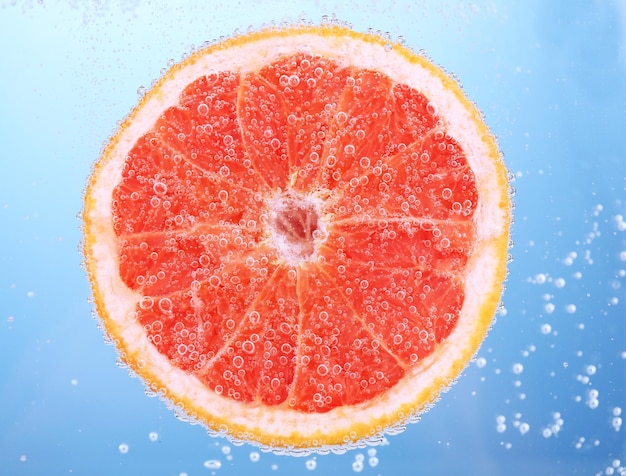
(299, 236)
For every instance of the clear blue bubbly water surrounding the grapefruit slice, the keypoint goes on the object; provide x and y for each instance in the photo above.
(547, 392)
